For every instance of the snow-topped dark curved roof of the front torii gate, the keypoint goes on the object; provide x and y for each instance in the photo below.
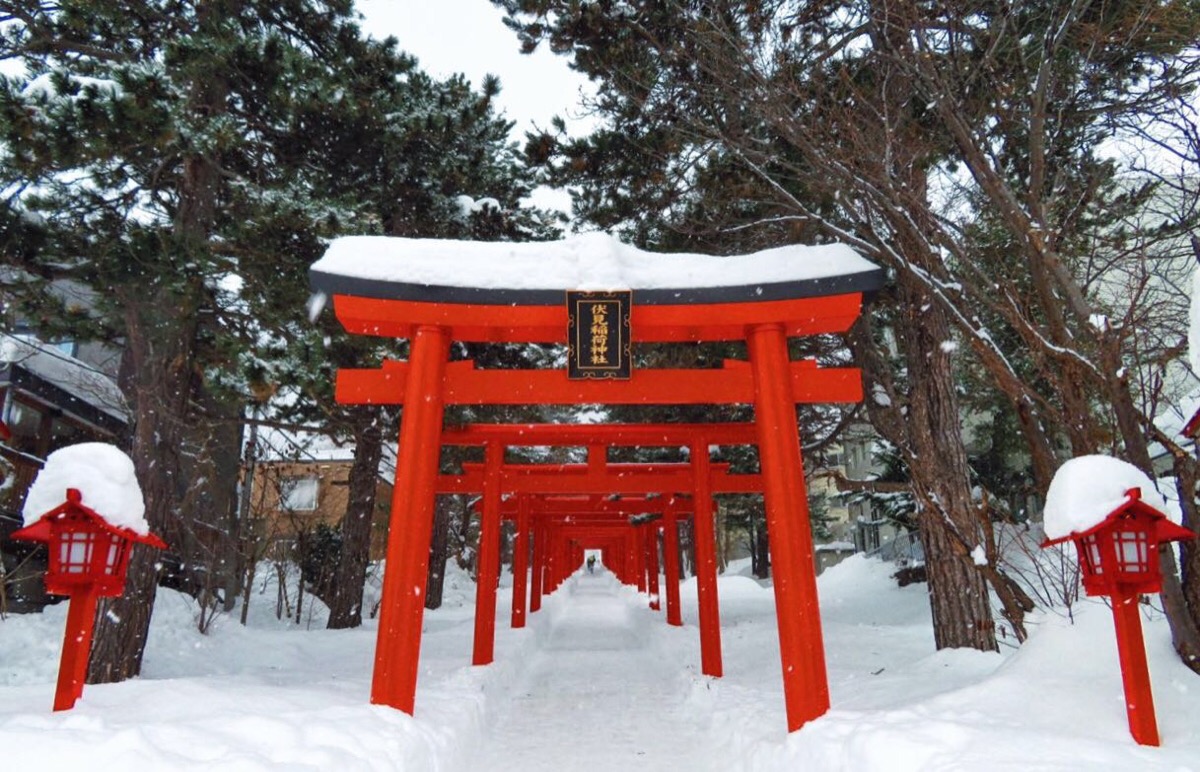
(500, 273)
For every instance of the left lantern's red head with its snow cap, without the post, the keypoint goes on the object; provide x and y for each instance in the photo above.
(87, 506)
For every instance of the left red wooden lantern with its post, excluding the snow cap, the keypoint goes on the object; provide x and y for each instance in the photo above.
(89, 558)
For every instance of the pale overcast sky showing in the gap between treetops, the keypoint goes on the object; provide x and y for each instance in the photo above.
(469, 37)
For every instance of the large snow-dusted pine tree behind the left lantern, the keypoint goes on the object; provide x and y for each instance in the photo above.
(184, 160)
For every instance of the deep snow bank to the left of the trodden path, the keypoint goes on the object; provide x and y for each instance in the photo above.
(275, 696)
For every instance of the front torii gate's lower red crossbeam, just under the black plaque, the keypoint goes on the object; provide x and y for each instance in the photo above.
(731, 385)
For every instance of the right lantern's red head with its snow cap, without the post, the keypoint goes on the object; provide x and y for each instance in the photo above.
(1112, 512)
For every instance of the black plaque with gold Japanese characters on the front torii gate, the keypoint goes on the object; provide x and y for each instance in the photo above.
(598, 334)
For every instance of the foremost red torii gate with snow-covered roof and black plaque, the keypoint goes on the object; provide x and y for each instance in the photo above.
(417, 291)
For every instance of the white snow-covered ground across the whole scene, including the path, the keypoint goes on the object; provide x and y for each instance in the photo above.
(598, 683)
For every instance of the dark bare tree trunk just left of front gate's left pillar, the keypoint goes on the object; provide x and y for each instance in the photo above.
(350, 576)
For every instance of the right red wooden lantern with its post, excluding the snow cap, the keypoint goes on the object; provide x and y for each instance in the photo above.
(1119, 558)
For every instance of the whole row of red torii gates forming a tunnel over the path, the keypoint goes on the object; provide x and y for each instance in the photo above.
(413, 290)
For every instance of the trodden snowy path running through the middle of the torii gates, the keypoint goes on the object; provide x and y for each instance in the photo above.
(597, 696)
